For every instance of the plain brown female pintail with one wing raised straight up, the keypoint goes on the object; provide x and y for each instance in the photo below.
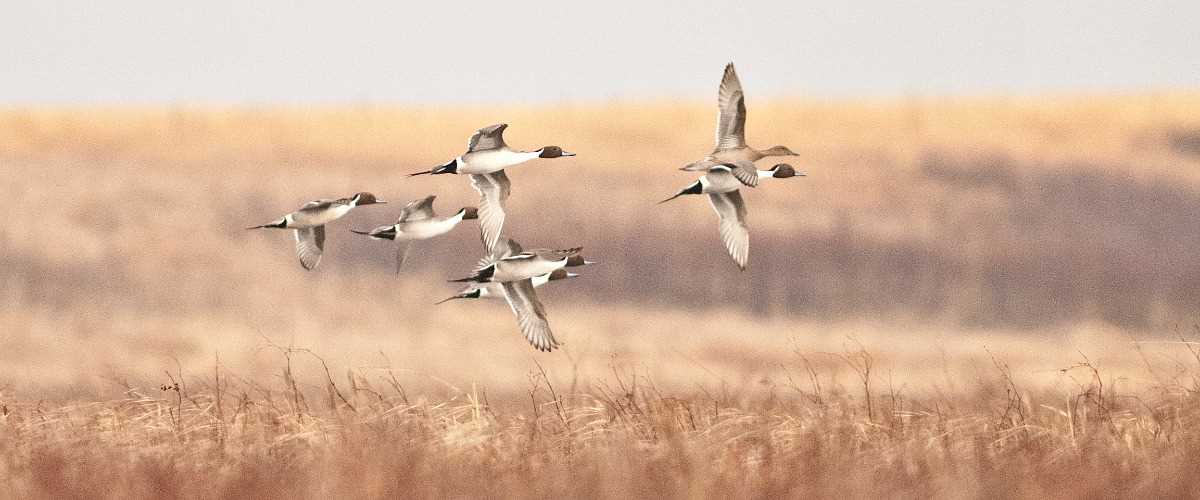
(731, 141)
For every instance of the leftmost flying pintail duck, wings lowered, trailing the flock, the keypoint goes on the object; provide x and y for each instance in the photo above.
(309, 225)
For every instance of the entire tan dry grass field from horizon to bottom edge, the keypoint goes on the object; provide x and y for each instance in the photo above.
(967, 298)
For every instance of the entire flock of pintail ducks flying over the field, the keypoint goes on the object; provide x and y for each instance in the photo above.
(508, 270)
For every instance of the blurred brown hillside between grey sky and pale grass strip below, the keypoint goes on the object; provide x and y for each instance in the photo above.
(1010, 213)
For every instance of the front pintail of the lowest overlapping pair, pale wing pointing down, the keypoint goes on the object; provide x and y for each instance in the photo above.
(519, 292)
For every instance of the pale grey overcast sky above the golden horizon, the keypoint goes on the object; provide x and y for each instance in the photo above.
(223, 52)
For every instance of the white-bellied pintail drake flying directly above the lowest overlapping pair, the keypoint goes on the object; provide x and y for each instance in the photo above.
(485, 161)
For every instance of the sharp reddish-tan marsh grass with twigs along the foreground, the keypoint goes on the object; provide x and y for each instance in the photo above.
(365, 436)
